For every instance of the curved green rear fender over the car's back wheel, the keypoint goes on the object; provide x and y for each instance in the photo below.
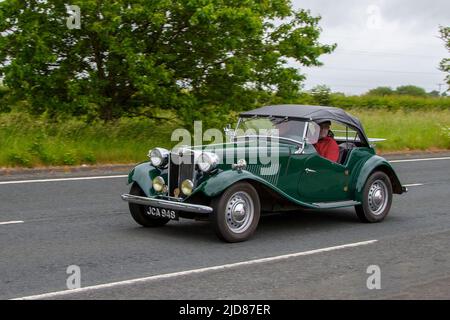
(372, 164)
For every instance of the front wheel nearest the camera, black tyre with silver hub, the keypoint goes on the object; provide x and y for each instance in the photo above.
(236, 213)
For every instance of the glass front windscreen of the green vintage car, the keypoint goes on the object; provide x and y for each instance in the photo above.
(272, 126)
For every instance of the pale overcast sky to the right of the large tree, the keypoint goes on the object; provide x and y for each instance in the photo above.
(380, 43)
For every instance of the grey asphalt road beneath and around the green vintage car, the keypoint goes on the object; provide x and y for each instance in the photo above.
(85, 223)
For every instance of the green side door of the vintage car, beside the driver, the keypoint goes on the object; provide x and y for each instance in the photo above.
(322, 180)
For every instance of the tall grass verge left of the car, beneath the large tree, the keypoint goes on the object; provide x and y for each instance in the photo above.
(28, 141)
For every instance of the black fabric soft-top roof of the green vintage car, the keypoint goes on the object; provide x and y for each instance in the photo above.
(305, 112)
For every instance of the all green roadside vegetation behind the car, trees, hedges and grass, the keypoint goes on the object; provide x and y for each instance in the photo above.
(109, 89)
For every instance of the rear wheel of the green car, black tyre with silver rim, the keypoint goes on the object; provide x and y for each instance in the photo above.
(377, 198)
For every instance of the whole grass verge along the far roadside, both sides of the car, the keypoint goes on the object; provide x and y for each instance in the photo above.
(26, 141)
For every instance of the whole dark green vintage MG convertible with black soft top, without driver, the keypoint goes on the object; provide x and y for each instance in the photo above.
(269, 163)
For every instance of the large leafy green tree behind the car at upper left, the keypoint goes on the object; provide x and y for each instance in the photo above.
(156, 54)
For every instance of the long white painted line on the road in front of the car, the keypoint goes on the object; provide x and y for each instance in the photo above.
(193, 271)
